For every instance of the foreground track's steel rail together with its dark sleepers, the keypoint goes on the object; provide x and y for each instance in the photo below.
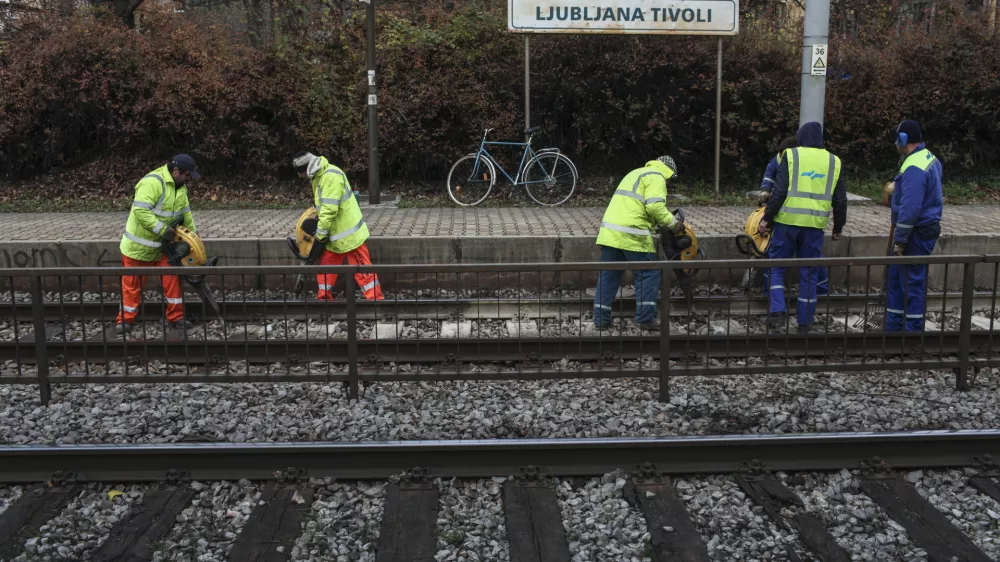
(765, 471)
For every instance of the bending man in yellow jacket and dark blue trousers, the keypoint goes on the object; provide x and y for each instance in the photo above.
(637, 207)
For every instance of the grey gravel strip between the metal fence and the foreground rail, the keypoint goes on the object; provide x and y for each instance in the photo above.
(239, 412)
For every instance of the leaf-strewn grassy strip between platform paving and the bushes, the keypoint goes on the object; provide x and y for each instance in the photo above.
(590, 192)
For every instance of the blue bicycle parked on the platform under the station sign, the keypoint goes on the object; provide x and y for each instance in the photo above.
(544, 174)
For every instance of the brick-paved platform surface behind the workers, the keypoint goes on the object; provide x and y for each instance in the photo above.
(862, 219)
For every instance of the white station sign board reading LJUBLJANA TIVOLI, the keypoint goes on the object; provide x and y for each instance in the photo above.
(666, 17)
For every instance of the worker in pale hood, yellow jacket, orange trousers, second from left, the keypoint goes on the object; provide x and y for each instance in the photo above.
(341, 228)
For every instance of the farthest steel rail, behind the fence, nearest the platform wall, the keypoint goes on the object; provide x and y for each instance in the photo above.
(470, 308)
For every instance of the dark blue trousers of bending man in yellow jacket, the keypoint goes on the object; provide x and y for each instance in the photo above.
(647, 285)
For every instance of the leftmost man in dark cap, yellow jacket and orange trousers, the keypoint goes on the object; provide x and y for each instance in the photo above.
(160, 198)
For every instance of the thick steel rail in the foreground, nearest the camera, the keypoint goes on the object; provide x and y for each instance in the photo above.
(486, 458)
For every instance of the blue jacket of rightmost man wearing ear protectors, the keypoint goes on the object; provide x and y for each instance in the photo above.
(917, 200)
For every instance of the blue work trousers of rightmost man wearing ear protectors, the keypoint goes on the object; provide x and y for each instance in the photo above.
(907, 288)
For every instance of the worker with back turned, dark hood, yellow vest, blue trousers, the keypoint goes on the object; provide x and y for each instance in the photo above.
(808, 186)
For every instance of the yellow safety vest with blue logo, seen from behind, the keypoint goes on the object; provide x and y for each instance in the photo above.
(812, 175)
